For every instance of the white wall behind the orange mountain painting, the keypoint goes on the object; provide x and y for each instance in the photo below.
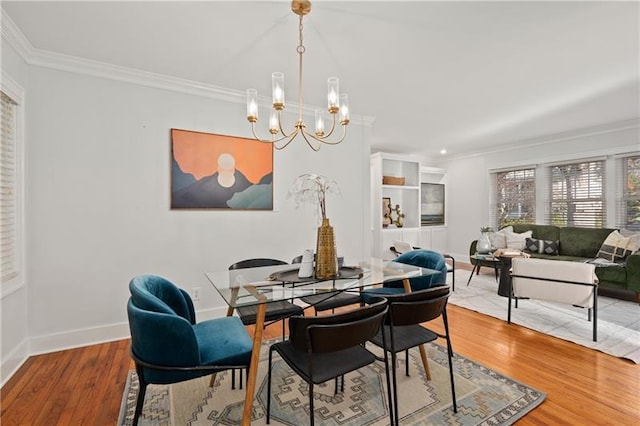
(98, 204)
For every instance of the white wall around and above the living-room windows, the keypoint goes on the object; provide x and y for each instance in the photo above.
(468, 178)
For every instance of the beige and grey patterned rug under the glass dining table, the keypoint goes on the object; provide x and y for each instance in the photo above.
(484, 397)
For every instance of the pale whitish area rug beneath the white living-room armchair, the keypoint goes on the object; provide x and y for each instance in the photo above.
(618, 320)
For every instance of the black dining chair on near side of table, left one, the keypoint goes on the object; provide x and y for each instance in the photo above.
(327, 347)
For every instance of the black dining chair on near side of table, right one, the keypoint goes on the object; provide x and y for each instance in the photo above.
(403, 330)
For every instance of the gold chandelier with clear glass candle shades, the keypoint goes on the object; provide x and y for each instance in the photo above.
(337, 103)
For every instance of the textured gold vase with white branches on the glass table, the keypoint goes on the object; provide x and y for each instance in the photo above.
(313, 189)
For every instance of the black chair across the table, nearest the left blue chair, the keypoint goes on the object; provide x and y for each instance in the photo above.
(274, 311)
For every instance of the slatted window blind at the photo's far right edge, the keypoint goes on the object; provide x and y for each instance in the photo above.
(628, 188)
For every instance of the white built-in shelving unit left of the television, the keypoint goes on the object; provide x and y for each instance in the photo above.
(406, 196)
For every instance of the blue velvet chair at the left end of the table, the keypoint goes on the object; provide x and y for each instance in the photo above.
(168, 346)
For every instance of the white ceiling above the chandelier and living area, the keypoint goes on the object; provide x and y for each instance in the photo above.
(464, 76)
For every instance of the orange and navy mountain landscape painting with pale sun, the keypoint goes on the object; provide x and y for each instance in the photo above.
(211, 171)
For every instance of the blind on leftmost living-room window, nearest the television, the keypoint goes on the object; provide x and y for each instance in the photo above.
(513, 197)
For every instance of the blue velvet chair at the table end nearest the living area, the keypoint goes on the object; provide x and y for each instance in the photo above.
(423, 258)
